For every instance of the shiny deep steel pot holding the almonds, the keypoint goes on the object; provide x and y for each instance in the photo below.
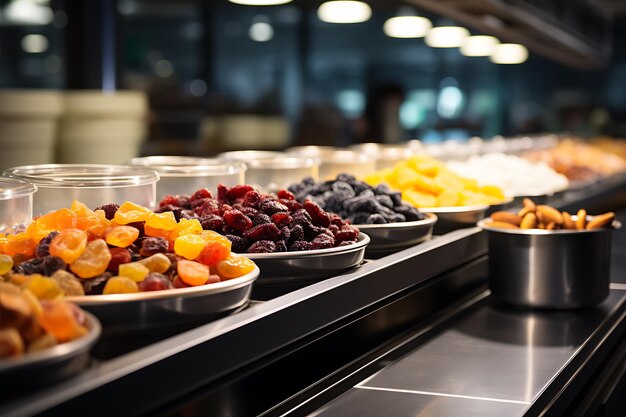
(556, 269)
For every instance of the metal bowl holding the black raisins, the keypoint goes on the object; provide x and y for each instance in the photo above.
(385, 238)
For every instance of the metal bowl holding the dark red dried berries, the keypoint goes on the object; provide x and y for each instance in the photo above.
(308, 266)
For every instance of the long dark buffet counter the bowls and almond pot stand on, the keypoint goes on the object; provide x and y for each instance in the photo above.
(413, 332)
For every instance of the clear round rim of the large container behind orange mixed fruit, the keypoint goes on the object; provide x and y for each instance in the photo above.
(84, 175)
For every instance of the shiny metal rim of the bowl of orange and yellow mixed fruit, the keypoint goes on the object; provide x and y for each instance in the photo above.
(200, 290)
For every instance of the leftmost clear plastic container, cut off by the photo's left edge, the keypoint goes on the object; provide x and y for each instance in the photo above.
(16, 203)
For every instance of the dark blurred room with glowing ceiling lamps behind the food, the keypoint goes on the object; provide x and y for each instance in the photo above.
(207, 76)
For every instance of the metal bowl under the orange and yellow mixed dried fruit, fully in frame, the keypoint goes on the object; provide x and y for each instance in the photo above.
(121, 313)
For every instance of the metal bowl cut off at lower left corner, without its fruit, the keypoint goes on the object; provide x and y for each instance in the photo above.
(49, 365)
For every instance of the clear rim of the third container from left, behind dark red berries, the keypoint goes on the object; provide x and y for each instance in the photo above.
(184, 166)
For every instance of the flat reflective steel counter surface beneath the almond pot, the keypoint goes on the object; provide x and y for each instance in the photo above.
(493, 361)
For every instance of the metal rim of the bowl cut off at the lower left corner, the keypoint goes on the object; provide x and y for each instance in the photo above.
(57, 352)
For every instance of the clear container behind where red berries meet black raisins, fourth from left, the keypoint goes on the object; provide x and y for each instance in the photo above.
(273, 174)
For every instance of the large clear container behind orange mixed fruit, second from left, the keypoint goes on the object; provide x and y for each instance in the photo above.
(94, 185)
